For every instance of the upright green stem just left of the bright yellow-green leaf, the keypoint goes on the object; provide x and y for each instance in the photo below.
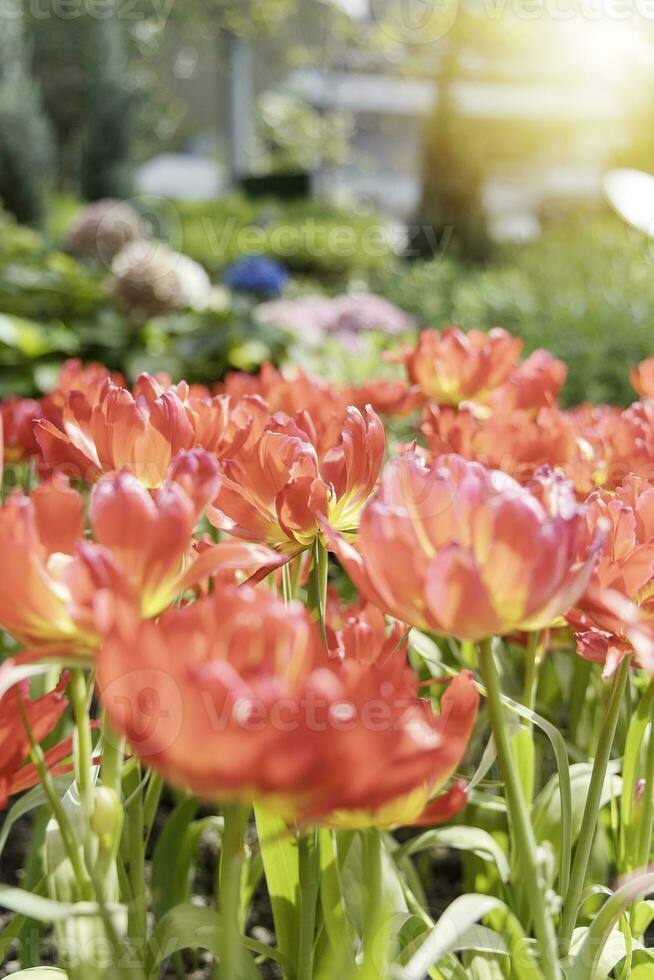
(230, 875)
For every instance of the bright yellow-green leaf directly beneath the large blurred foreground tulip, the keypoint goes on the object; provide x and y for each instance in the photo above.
(280, 861)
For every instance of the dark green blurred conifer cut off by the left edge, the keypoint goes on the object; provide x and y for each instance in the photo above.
(24, 134)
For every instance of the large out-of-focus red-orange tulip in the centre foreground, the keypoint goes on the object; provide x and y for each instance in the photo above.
(235, 697)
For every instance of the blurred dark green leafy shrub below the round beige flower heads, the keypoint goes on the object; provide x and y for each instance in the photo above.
(52, 307)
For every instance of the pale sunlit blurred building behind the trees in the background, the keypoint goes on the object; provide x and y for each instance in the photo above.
(578, 115)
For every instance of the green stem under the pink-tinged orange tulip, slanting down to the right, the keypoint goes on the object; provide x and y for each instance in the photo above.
(522, 832)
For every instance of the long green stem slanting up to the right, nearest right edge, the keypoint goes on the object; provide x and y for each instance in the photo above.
(592, 807)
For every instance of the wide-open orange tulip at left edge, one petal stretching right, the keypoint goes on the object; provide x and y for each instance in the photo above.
(59, 590)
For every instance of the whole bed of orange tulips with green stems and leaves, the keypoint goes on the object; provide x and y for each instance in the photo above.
(317, 681)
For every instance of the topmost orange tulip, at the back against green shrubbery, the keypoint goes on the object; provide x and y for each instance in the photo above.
(453, 366)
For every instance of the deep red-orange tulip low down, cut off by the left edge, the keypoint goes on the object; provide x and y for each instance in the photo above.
(42, 715)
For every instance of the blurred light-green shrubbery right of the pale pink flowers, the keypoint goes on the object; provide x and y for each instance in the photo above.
(583, 291)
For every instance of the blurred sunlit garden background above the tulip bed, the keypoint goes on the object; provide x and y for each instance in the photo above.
(204, 186)
